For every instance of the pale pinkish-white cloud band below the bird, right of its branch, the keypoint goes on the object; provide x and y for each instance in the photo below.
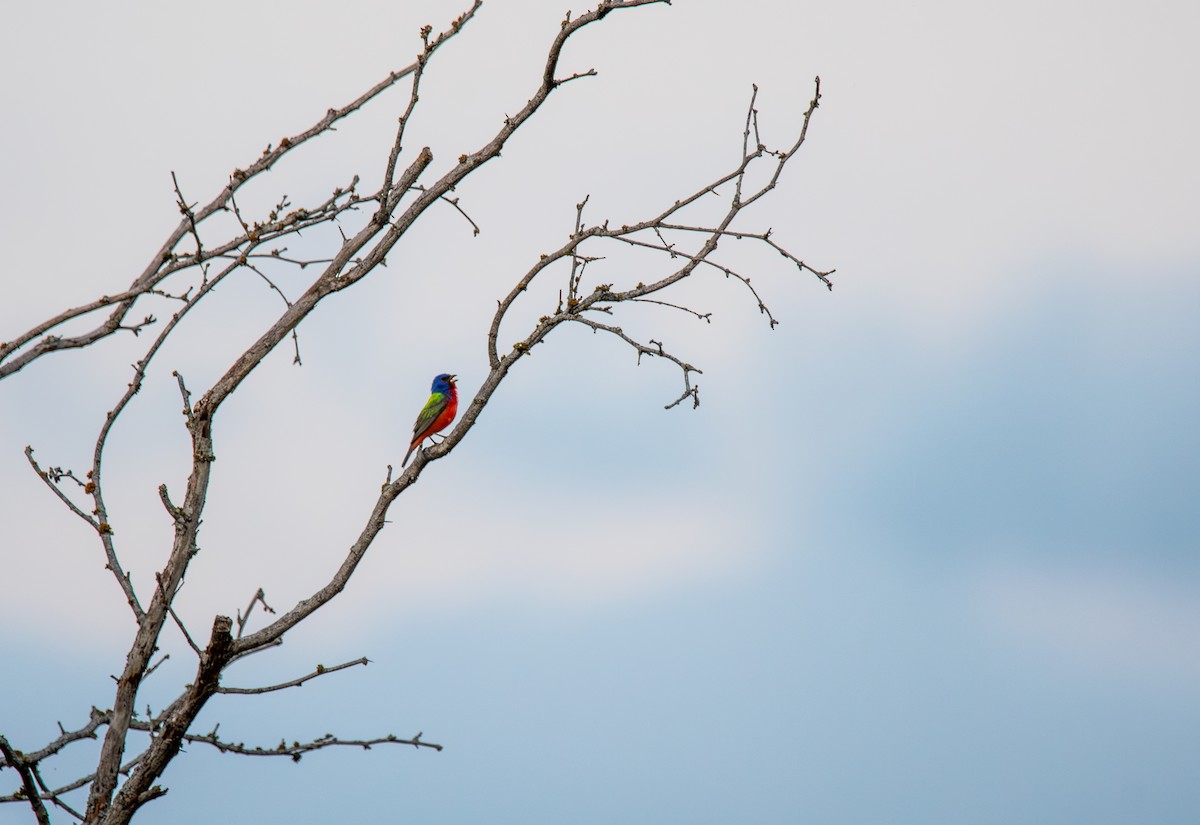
(548, 550)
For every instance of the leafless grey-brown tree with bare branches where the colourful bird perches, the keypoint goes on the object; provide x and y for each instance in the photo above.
(680, 242)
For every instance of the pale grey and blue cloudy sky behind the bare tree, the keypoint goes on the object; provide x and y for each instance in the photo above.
(928, 552)
